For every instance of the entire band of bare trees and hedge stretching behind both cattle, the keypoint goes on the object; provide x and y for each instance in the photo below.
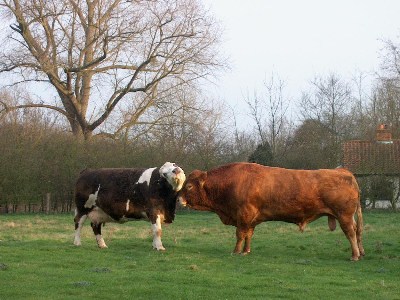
(41, 159)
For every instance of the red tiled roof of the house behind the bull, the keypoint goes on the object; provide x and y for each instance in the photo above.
(372, 157)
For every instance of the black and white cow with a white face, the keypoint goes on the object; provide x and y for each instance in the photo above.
(121, 195)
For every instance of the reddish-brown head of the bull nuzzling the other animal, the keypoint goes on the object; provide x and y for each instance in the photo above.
(193, 193)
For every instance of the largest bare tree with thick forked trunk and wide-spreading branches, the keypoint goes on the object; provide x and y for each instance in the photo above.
(99, 55)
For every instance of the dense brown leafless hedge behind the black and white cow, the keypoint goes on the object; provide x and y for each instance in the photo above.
(39, 163)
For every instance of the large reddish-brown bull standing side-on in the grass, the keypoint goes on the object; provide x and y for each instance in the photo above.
(246, 194)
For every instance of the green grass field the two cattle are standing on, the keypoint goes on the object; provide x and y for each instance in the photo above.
(39, 261)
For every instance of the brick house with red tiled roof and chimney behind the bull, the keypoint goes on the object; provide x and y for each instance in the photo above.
(375, 162)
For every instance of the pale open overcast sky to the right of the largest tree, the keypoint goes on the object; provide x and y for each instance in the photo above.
(298, 40)
